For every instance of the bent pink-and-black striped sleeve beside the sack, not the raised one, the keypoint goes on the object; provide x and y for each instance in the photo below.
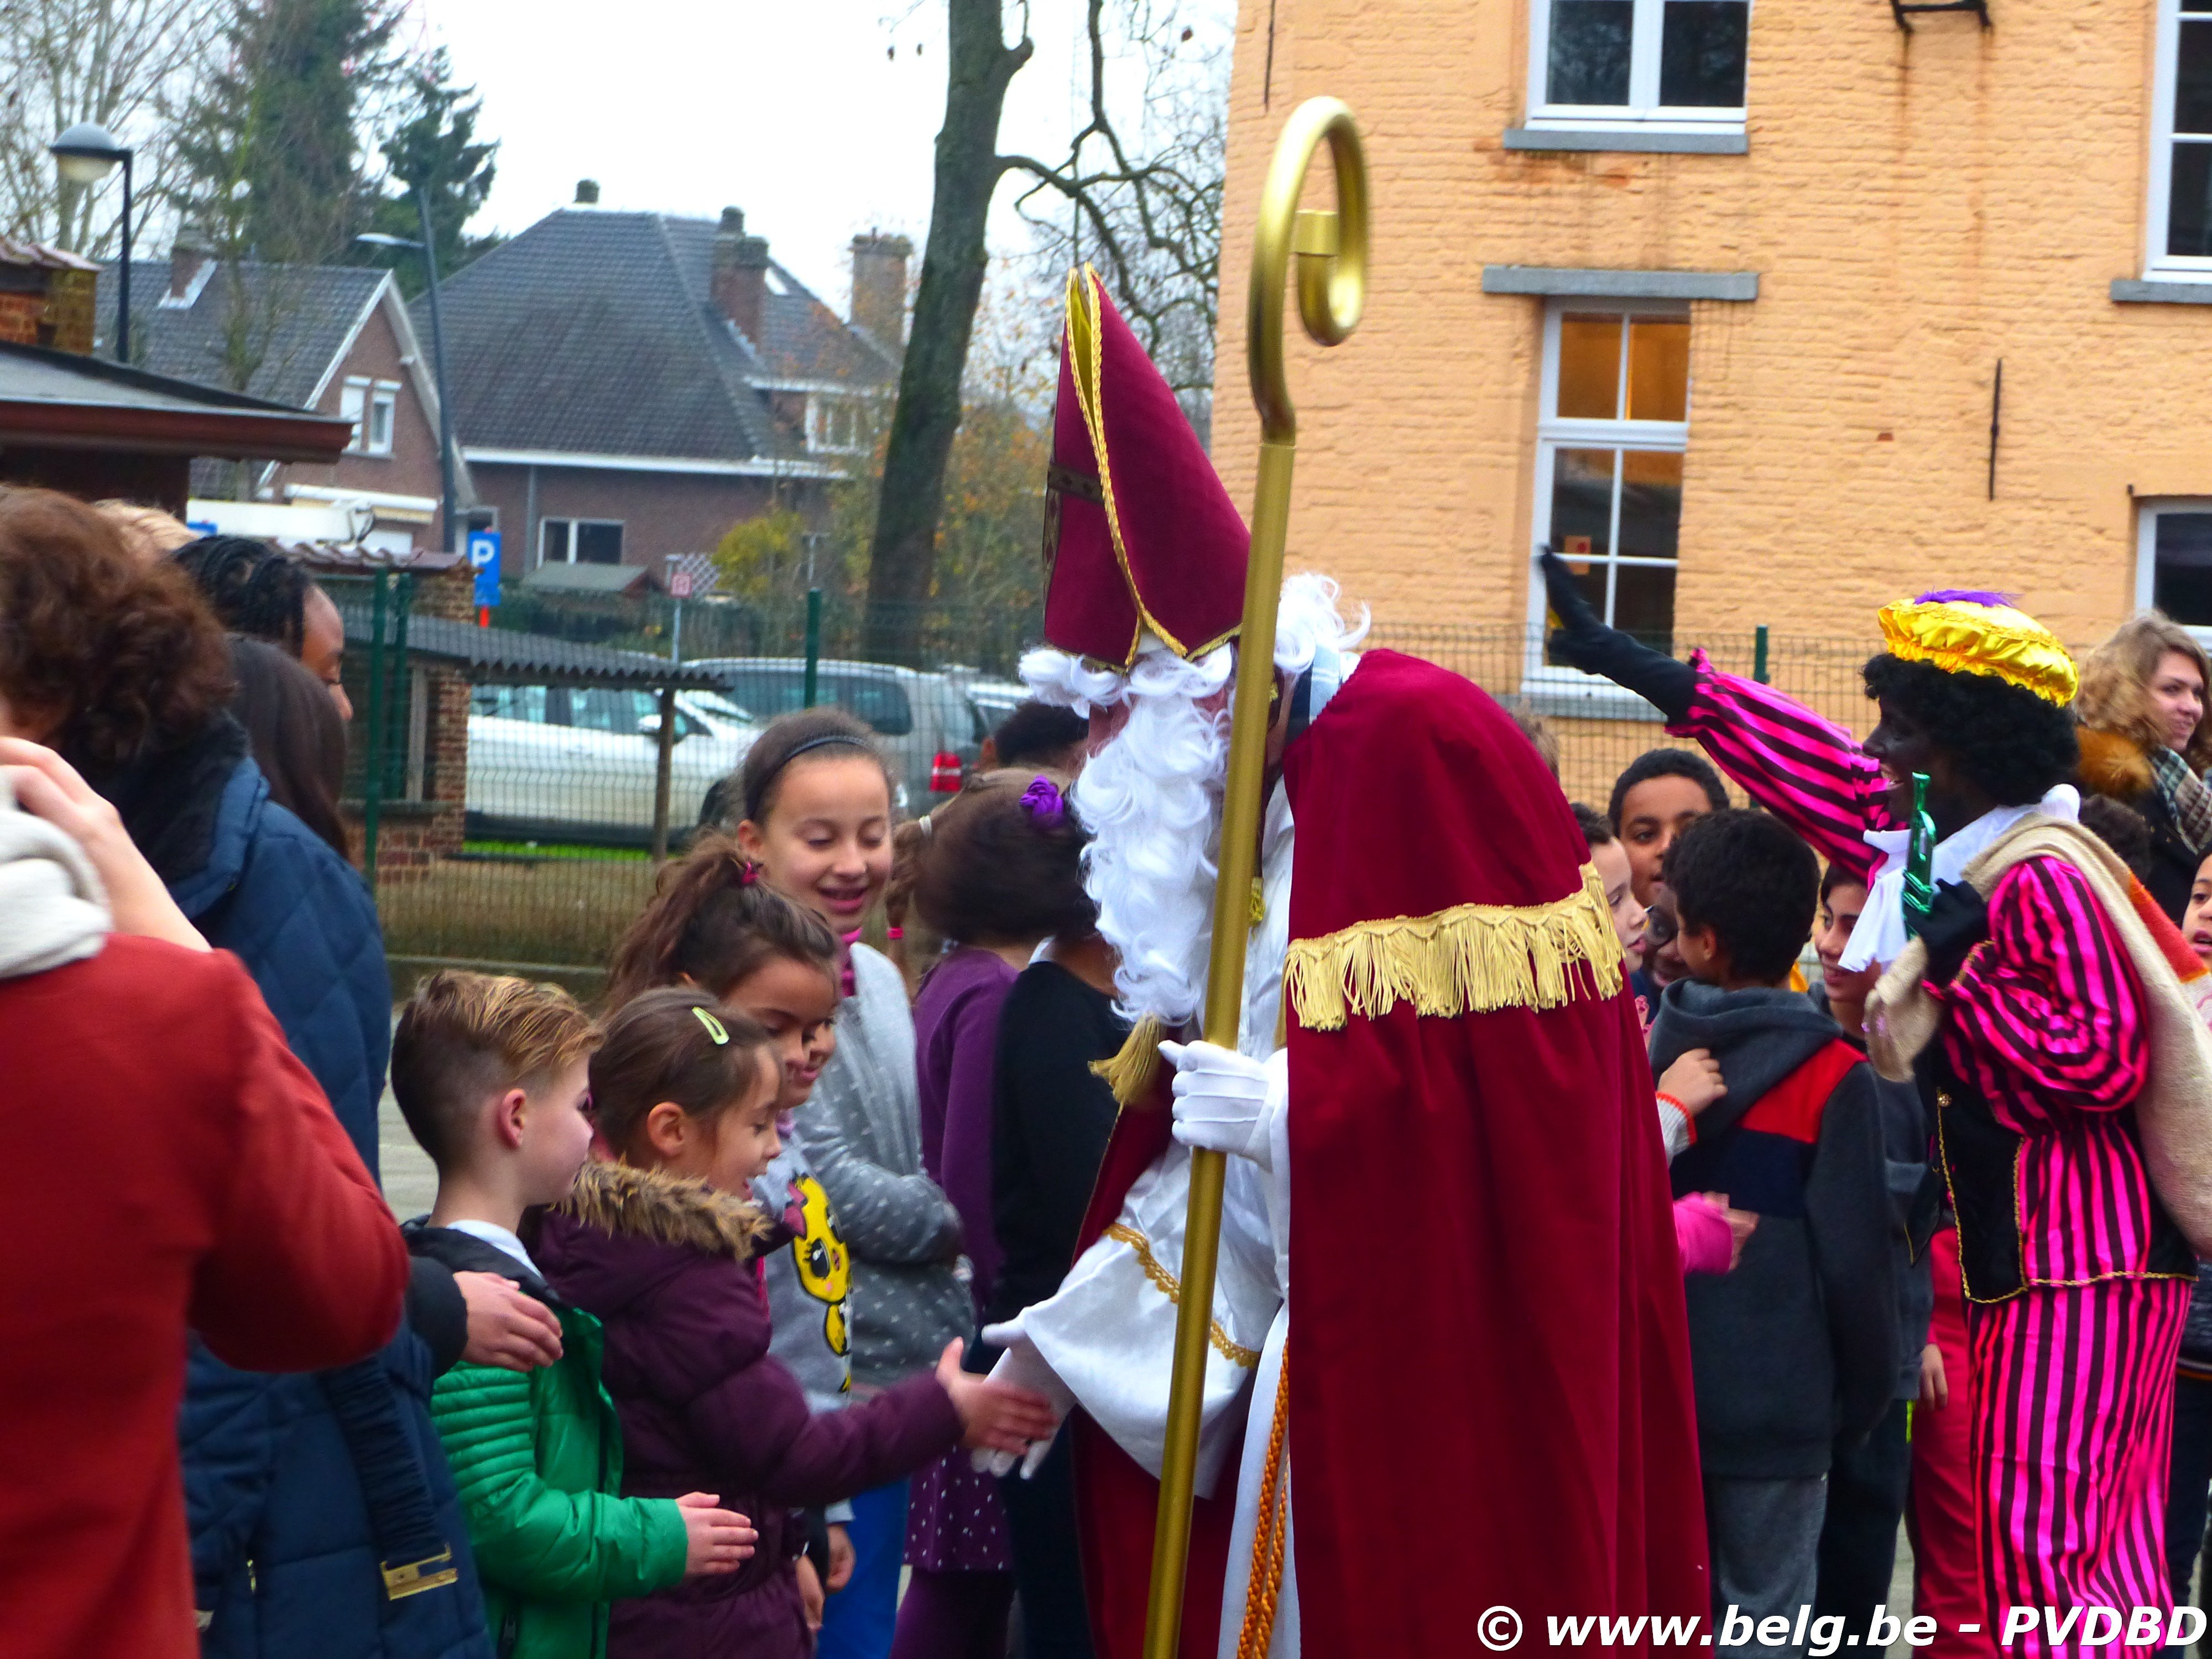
(2049, 1010)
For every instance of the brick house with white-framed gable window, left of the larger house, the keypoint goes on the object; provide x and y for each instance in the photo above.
(335, 340)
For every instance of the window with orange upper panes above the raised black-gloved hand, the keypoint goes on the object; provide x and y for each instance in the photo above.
(1614, 428)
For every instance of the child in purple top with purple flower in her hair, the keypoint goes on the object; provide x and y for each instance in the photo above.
(999, 877)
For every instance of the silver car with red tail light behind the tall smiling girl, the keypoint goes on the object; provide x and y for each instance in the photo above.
(926, 724)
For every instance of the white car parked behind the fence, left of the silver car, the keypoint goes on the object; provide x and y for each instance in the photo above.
(578, 762)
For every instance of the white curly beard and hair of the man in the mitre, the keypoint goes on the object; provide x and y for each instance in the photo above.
(1151, 797)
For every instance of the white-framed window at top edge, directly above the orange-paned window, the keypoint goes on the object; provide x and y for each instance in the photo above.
(1638, 63)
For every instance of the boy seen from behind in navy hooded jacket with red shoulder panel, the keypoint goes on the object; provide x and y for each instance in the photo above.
(1795, 1353)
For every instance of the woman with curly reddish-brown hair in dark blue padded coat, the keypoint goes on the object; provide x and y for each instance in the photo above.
(123, 669)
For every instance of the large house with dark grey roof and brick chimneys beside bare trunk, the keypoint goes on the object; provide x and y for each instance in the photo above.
(629, 386)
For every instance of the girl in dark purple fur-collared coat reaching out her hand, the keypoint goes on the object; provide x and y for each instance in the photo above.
(662, 1249)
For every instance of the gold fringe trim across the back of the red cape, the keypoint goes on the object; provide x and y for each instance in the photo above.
(1470, 959)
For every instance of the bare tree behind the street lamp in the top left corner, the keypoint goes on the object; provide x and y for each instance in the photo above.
(127, 65)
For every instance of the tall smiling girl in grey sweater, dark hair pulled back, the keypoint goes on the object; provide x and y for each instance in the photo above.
(817, 817)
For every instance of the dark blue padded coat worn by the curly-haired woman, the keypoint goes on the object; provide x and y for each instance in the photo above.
(284, 1556)
